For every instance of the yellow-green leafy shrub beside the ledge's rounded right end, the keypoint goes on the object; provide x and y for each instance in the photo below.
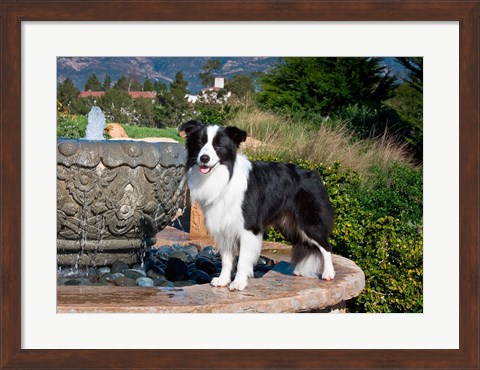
(390, 255)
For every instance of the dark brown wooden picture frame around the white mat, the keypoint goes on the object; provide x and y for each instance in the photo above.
(14, 12)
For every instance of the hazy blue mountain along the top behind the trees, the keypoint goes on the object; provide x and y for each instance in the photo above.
(163, 69)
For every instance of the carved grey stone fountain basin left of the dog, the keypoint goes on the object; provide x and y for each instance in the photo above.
(113, 197)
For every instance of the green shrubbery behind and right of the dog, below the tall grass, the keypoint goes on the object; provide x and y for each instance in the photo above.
(388, 251)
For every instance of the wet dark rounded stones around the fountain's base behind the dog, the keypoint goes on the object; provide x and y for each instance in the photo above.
(167, 266)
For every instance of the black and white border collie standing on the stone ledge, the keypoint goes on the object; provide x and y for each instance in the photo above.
(241, 199)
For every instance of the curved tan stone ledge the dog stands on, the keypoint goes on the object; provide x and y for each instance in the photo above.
(274, 293)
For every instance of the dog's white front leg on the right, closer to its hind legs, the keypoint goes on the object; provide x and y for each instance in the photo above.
(250, 248)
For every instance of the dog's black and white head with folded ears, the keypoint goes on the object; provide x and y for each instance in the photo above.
(210, 146)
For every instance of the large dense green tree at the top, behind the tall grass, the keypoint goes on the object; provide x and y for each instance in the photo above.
(323, 85)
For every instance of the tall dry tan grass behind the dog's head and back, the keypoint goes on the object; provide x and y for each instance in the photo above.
(287, 140)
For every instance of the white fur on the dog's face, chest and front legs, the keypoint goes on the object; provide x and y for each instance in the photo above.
(222, 208)
